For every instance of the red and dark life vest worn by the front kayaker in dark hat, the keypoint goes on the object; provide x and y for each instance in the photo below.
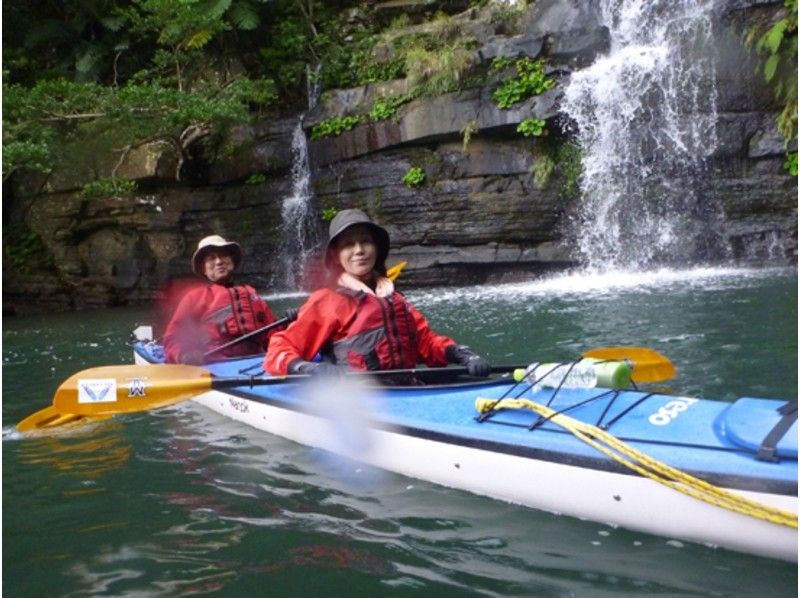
(381, 336)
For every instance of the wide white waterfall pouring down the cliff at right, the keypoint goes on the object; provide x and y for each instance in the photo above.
(645, 116)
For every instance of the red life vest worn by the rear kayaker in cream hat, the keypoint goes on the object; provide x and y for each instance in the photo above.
(235, 310)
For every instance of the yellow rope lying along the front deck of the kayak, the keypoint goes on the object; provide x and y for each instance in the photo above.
(647, 466)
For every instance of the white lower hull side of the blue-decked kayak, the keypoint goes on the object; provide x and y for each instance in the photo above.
(628, 501)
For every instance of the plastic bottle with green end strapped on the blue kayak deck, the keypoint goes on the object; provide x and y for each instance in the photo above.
(586, 373)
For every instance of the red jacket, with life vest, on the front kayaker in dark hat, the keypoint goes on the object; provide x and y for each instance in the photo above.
(362, 330)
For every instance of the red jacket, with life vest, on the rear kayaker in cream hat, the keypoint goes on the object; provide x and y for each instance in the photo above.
(212, 315)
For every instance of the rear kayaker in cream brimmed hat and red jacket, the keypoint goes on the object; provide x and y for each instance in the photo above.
(219, 312)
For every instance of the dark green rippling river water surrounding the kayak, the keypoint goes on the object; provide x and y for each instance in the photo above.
(184, 502)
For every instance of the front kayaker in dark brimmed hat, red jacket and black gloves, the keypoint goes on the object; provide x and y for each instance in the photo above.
(360, 321)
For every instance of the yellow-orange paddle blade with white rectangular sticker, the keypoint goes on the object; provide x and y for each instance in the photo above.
(128, 388)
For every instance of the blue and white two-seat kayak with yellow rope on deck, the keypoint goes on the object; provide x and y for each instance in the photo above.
(718, 473)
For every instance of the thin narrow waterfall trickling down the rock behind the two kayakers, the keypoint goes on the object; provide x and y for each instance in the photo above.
(297, 214)
